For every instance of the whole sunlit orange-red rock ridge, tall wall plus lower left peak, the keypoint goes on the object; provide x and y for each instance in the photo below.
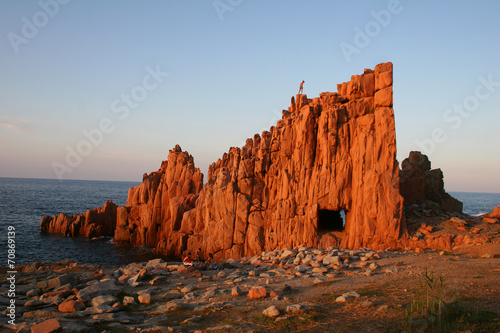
(331, 154)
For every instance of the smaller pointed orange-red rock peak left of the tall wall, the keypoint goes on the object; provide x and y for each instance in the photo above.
(154, 210)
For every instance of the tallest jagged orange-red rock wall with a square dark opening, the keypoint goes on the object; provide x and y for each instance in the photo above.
(333, 153)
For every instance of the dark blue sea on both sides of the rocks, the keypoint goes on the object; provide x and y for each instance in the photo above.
(23, 203)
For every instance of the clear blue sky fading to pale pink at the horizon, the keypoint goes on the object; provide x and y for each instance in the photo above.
(104, 89)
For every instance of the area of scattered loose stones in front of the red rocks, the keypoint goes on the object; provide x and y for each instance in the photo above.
(78, 297)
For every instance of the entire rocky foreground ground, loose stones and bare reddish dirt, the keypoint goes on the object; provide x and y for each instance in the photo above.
(273, 291)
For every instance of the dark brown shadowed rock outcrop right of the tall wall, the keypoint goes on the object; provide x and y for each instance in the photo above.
(419, 184)
